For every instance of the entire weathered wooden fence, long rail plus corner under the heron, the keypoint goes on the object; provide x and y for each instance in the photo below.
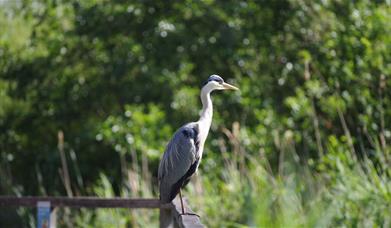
(170, 214)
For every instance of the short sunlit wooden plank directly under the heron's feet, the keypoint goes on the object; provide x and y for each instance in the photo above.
(185, 221)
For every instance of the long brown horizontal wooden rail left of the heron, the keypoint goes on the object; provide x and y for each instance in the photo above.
(89, 202)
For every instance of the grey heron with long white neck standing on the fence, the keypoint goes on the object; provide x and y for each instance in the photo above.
(183, 153)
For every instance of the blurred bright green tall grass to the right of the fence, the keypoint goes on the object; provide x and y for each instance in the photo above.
(348, 193)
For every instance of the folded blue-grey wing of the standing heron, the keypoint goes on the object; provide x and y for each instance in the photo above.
(179, 161)
